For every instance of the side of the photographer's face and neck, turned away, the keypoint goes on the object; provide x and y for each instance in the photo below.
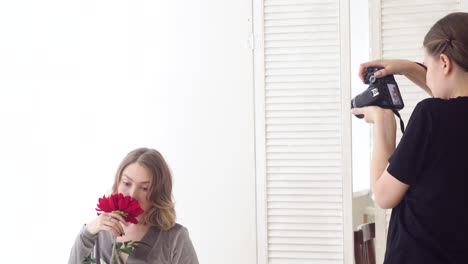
(435, 77)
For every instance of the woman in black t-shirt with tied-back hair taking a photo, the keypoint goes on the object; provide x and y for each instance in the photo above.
(425, 178)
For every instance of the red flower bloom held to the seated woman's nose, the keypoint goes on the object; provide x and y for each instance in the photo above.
(125, 206)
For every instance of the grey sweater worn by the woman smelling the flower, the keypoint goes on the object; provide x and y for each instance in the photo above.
(172, 246)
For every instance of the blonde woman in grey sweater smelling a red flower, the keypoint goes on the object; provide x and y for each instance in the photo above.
(144, 175)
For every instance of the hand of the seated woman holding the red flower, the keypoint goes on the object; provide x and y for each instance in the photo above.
(110, 222)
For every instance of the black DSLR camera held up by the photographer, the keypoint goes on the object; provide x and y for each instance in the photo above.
(381, 92)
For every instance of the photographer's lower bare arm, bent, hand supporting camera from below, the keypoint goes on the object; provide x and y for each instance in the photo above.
(388, 191)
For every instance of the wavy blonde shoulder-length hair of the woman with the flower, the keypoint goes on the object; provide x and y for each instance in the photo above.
(161, 212)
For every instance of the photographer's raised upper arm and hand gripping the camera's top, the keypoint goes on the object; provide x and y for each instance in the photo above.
(415, 72)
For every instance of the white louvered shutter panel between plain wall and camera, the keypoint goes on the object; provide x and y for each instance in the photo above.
(304, 140)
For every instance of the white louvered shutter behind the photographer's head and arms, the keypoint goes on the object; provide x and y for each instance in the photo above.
(397, 31)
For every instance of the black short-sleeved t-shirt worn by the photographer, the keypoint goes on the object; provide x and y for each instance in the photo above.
(430, 225)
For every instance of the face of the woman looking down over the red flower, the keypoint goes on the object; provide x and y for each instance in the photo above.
(135, 182)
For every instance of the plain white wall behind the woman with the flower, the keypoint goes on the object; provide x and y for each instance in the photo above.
(84, 82)
